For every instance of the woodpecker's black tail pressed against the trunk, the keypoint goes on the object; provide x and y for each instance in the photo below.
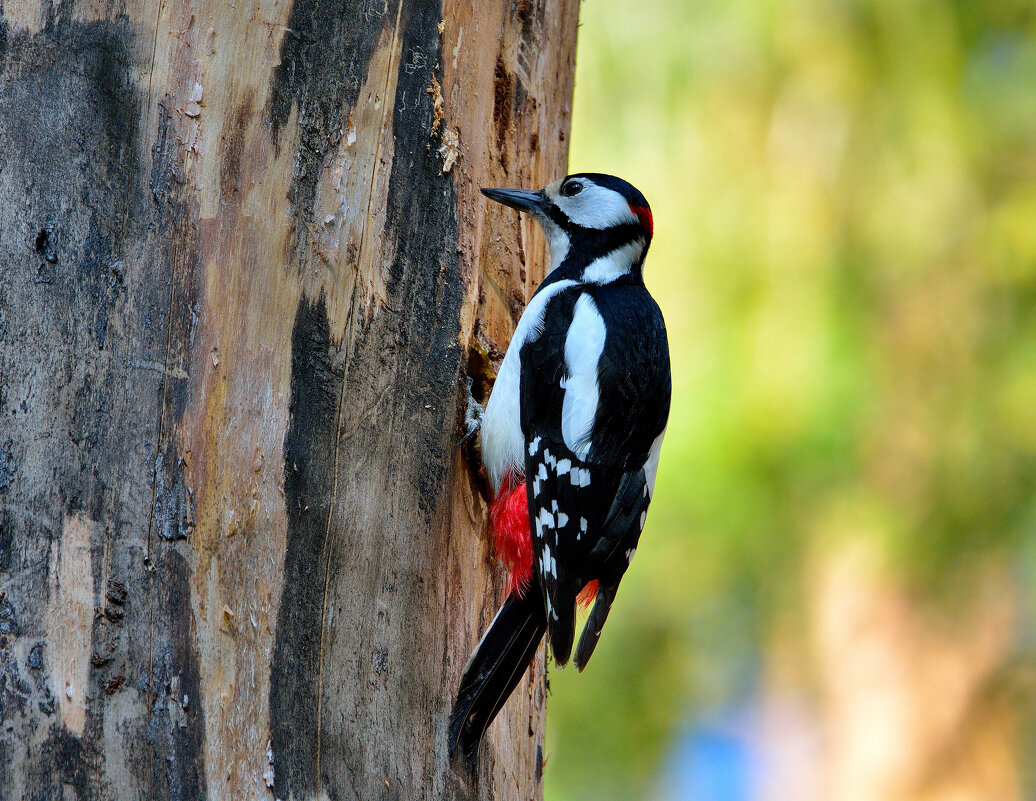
(495, 670)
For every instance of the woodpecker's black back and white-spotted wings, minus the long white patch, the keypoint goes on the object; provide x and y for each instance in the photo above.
(587, 513)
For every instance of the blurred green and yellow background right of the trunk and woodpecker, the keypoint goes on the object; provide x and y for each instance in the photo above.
(834, 595)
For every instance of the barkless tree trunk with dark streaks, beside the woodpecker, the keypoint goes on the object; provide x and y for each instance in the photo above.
(245, 269)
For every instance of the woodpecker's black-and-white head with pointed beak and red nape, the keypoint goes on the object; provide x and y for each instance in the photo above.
(588, 217)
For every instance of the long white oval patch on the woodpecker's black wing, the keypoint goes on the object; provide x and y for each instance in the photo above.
(584, 347)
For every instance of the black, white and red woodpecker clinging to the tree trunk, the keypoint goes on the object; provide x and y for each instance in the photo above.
(570, 437)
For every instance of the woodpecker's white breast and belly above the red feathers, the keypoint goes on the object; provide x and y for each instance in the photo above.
(503, 442)
